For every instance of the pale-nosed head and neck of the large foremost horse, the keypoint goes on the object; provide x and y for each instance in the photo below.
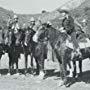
(51, 34)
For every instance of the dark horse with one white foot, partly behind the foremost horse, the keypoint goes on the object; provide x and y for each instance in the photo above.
(38, 50)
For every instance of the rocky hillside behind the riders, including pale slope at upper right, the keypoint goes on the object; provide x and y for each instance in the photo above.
(78, 8)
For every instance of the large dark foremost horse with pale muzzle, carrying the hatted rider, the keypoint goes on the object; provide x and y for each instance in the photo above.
(63, 53)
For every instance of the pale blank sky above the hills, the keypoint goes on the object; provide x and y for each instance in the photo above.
(31, 6)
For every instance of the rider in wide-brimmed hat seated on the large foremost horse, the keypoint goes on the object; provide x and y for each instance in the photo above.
(69, 26)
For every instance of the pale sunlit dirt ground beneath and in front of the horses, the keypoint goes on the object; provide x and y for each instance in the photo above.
(29, 82)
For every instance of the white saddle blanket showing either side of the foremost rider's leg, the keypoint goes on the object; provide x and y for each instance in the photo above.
(82, 45)
